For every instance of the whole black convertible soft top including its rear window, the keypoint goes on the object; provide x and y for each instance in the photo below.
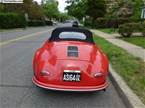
(71, 34)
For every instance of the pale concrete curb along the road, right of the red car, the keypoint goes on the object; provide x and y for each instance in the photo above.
(129, 98)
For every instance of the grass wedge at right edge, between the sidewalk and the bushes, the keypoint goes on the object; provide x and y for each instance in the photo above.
(139, 41)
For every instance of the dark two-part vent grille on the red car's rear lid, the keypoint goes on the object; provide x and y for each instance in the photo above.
(72, 51)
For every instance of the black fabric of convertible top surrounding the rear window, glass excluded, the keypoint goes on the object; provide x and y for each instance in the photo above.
(56, 32)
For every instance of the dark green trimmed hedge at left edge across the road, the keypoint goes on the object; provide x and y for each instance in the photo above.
(12, 20)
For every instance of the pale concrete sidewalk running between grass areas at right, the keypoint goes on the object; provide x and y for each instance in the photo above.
(133, 49)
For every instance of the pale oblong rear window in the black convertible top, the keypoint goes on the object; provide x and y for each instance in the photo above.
(72, 35)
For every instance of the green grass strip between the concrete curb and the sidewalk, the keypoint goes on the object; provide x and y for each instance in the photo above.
(131, 69)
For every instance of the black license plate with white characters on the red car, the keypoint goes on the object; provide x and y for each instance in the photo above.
(73, 76)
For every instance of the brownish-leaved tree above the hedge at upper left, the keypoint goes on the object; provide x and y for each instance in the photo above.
(30, 7)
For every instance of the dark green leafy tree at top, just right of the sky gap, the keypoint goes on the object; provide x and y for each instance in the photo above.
(83, 8)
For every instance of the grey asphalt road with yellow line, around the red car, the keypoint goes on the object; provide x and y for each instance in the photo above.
(17, 89)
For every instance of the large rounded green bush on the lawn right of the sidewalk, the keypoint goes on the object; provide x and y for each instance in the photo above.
(127, 29)
